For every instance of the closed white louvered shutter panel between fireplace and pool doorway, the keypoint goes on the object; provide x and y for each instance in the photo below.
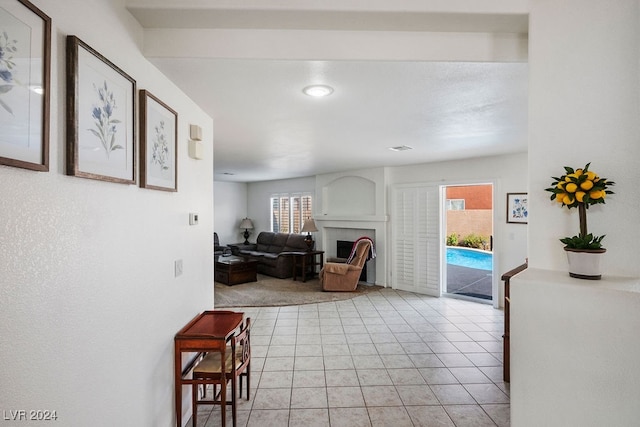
(415, 239)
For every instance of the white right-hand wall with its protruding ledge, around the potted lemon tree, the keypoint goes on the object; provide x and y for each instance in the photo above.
(573, 341)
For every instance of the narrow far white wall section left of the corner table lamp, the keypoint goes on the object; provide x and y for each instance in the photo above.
(229, 207)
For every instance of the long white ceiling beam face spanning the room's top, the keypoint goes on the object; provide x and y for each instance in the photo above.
(335, 45)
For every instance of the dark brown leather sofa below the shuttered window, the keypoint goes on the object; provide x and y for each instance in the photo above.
(270, 250)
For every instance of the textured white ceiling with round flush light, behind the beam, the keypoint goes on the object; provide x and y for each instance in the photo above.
(266, 128)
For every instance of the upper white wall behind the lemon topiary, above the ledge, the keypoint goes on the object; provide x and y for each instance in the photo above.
(584, 106)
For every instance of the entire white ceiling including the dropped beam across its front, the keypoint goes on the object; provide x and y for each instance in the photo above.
(264, 126)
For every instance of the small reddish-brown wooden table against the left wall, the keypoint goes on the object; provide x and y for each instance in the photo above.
(208, 331)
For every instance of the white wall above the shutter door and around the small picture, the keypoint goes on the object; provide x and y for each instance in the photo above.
(509, 173)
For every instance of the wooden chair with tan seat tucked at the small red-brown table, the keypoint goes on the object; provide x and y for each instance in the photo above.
(216, 370)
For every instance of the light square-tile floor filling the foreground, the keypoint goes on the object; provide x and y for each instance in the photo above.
(388, 358)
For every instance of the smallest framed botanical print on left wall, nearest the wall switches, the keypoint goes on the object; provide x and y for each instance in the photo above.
(158, 144)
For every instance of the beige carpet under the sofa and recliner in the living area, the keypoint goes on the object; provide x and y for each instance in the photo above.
(269, 292)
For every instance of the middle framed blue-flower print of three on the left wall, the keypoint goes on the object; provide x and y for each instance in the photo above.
(100, 116)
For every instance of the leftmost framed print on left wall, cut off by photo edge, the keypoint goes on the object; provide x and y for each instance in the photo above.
(25, 64)
